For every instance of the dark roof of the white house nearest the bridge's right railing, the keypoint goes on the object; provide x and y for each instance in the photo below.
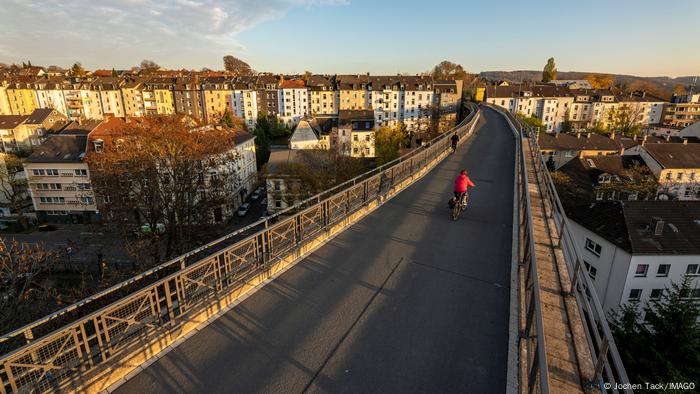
(629, 224)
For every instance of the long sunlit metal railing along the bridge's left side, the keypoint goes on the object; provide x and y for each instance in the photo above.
(89, 344)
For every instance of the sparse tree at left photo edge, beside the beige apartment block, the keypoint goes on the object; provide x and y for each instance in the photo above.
(13, 184)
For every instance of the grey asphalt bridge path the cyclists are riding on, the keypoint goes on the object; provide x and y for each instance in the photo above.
(404, 301)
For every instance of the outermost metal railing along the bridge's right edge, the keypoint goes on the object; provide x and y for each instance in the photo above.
(608, 368)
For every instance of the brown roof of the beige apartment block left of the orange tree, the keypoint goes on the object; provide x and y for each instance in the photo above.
(60, 148)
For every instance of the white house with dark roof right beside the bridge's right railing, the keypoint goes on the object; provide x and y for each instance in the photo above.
(633, 250)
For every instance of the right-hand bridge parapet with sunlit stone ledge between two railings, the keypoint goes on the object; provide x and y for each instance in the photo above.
(565, 342)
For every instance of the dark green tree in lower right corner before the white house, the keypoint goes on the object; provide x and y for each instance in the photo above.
(661, 341)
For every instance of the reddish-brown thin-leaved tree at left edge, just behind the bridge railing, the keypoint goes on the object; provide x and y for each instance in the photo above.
(24, 291)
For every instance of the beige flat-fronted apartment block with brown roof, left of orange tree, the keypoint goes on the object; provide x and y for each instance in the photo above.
(59, 177)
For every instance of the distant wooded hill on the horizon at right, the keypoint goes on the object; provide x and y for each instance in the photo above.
(663, 84)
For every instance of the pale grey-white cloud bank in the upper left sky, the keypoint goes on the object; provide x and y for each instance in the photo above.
(121, 32)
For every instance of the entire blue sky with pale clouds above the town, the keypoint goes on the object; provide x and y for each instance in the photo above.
(637, 37)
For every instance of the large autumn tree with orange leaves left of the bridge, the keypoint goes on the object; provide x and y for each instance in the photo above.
(162, 181)
